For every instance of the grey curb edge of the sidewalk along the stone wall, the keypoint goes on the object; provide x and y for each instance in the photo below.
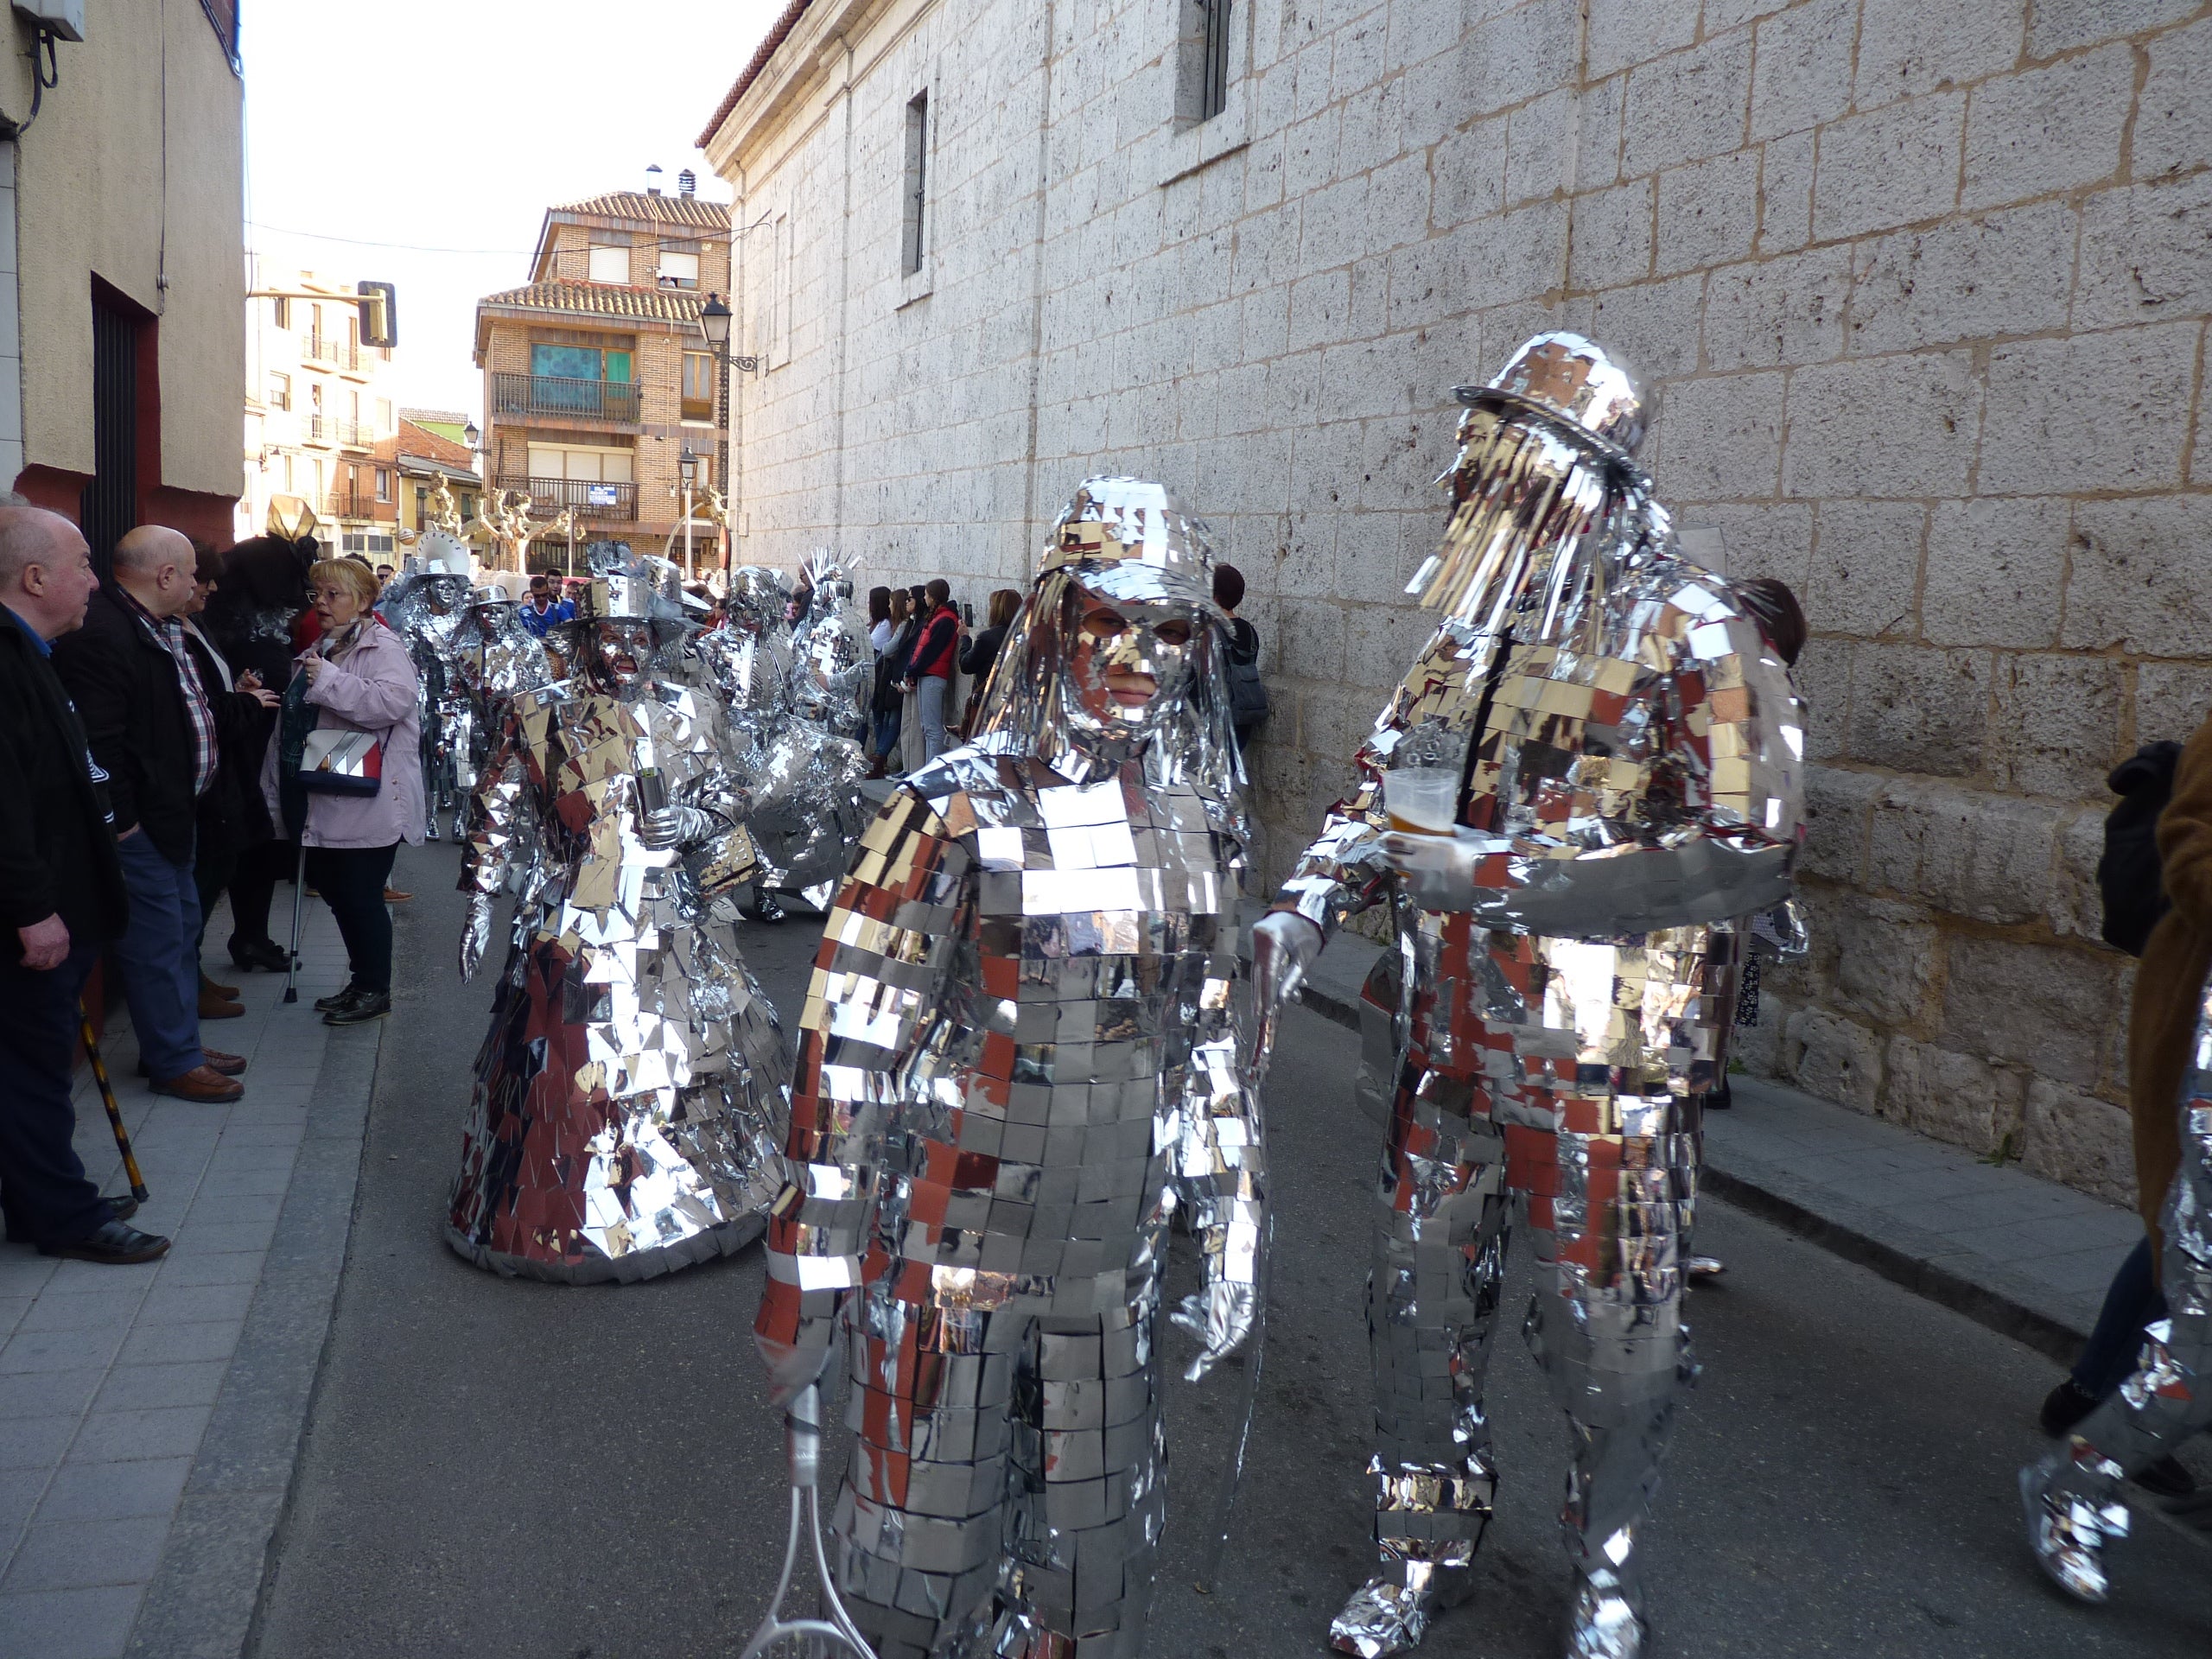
(1901, 1255)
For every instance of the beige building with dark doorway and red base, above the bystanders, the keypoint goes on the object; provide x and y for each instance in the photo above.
(123, 271)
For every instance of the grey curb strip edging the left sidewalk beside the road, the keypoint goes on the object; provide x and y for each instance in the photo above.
(207, 1589)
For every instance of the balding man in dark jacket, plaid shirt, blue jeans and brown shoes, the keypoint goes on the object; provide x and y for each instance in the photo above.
(154, 731)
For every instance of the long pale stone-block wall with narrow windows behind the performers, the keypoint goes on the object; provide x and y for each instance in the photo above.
(1921, 289)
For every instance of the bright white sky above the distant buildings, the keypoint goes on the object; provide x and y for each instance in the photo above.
(455, 125)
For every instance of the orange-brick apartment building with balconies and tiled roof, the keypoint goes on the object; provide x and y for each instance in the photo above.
(596, 373)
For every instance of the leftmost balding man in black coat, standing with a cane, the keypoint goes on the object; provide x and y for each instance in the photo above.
(63, 899)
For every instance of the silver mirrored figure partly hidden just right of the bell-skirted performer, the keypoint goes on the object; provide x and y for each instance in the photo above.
(802, 778)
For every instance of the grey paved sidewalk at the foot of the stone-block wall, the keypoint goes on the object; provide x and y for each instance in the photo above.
(2016, 1253)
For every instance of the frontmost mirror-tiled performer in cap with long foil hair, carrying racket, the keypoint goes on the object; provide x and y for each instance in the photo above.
(1019, 1056)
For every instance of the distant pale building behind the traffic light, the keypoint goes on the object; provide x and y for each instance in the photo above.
(317, 410)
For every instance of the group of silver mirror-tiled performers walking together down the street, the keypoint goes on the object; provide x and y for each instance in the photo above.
(1027, 1041)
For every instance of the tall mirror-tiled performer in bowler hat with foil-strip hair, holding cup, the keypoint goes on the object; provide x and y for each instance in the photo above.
(1629, 758)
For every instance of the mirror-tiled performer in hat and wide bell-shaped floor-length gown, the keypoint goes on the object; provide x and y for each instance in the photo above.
(632, 1089)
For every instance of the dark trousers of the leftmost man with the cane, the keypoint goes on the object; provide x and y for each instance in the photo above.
(43, 1185)
